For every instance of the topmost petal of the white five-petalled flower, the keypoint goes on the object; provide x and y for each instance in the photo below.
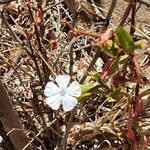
(62, 81)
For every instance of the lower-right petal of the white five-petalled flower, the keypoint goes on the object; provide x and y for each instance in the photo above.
(69, 102)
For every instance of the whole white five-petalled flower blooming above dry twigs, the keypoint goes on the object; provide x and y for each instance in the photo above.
(62, 93)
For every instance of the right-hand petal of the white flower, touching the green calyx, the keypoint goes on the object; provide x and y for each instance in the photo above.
(74, 89)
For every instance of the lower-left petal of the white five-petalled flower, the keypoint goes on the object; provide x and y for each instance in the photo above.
(54, 101)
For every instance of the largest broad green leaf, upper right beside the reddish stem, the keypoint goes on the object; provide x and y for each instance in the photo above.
(126, 41)
